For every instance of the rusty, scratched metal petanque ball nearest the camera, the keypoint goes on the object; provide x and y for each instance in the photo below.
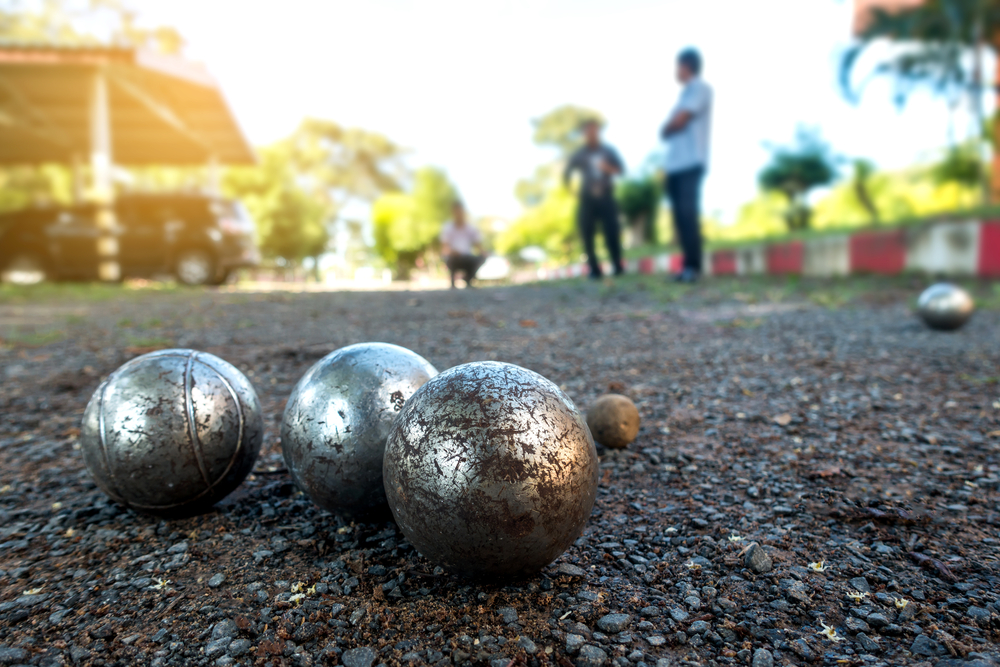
(490, 470)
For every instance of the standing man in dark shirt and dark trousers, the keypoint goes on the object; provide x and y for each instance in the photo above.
(598, 164)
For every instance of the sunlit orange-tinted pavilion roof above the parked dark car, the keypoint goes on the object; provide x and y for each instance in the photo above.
(164, 110)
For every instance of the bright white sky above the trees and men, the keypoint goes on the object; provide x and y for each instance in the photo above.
(457, 81)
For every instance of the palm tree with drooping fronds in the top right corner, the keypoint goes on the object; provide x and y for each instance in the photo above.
(939, 45)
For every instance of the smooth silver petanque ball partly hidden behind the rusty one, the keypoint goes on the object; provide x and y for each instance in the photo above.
(338, 417)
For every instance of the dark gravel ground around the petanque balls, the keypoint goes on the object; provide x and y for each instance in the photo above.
(815, 481)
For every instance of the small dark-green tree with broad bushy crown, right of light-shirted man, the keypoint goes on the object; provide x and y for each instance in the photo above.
(795, 170)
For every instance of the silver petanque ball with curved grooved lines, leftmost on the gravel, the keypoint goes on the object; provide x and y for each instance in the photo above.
(172, 432)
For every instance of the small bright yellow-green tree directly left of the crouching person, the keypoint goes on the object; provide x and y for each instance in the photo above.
(406, 225)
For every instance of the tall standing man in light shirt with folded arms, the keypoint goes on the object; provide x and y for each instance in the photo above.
(687, 134)
